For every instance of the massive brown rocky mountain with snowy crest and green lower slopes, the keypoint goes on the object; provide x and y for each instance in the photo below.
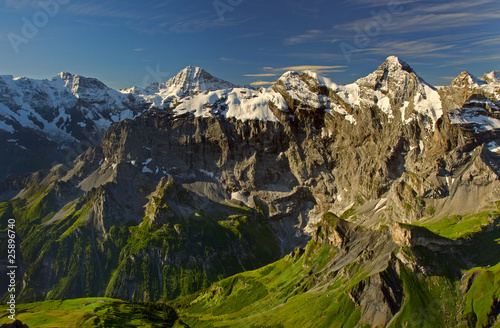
(305, 204)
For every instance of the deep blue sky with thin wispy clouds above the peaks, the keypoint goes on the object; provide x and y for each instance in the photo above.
(128, 42)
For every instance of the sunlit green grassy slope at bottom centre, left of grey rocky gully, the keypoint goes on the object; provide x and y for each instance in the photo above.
(282, 294)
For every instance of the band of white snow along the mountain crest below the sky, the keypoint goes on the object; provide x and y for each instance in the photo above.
(193, 90)
